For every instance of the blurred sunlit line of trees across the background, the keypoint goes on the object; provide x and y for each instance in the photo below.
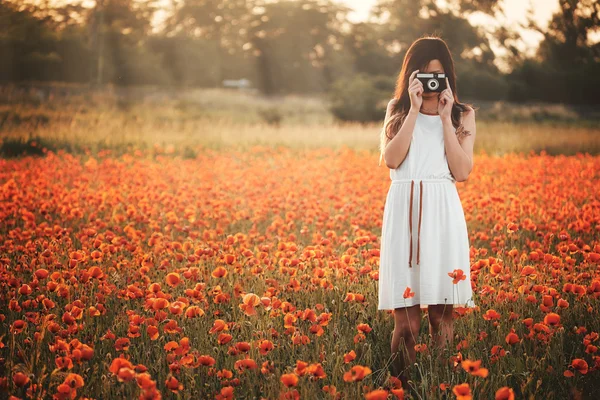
(294, 46)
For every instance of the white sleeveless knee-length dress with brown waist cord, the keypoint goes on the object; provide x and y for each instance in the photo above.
(440, 244)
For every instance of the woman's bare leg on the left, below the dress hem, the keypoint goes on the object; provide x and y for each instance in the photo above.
(407, 322)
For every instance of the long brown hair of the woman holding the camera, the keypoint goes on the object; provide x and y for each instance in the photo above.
(418, 56)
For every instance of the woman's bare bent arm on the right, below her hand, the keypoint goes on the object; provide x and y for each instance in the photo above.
(460, 154)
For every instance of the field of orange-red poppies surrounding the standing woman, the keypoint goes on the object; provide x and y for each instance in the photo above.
(253, 275)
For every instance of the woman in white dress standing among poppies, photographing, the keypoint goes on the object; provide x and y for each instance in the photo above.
(427, 142)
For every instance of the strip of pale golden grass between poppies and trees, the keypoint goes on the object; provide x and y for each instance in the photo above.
(186, 121)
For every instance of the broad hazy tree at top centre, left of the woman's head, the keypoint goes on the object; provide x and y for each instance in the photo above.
(298, 45)
